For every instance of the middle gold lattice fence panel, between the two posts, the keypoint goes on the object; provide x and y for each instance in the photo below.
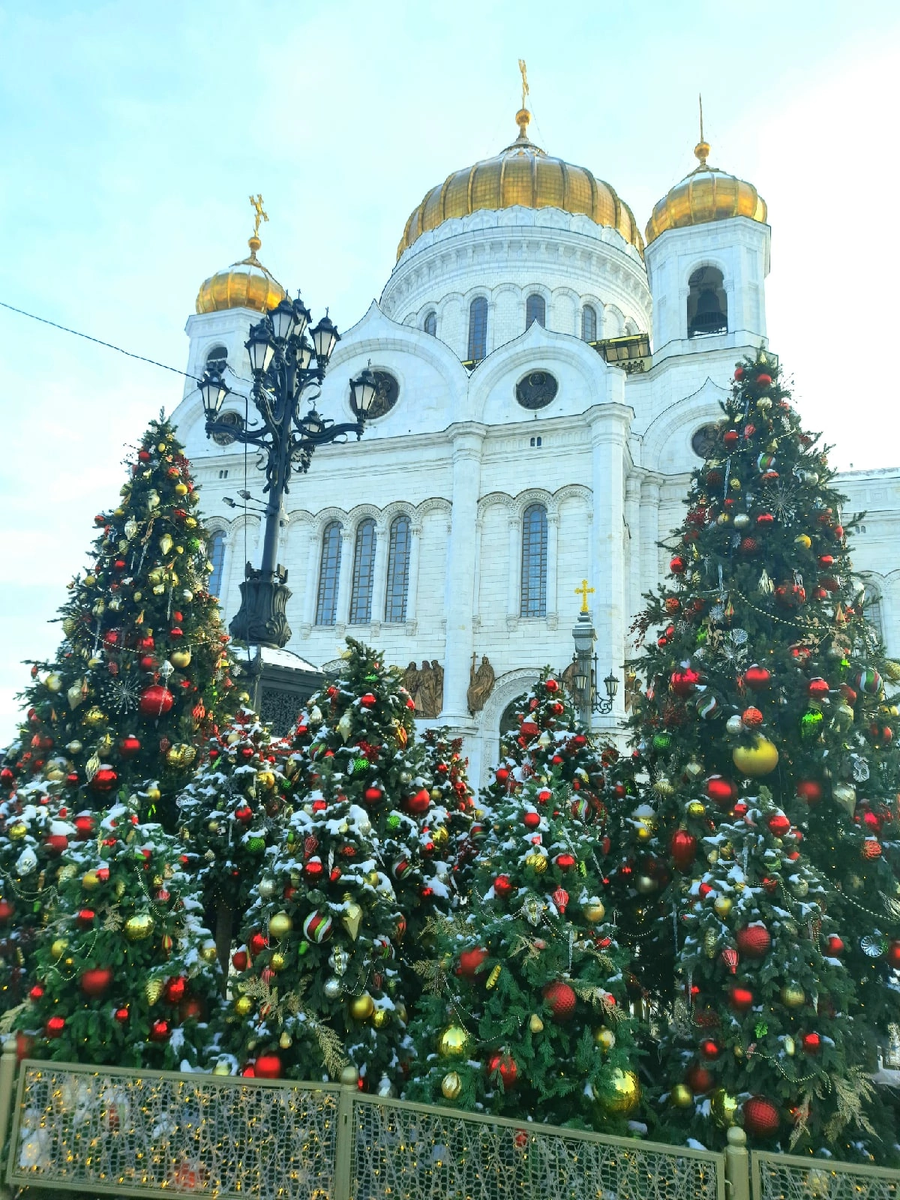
(410, 1154)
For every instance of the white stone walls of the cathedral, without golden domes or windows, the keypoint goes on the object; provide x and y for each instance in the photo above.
(609, 459)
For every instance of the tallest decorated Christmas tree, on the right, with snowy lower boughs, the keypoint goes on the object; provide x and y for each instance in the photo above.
(772, 794)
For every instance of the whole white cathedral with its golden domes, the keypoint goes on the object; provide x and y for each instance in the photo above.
(545, 380)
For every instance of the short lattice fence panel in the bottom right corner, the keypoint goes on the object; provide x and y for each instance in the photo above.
(781, 1178)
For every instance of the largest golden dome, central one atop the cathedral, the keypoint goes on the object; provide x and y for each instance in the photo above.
(525, 176)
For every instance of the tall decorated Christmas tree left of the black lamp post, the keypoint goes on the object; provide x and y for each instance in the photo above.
(142, 674)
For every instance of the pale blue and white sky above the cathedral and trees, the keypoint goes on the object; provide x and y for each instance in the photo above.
(133, 135)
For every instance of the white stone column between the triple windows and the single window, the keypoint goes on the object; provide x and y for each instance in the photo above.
(460, 583)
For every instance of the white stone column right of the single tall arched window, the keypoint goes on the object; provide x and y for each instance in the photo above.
(609, 437)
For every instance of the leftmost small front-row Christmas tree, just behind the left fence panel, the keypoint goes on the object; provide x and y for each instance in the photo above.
(124, 970)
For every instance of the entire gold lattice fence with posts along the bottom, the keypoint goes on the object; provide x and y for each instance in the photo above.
(113, 1131)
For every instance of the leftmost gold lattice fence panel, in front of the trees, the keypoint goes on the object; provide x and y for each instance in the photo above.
(187, 1135)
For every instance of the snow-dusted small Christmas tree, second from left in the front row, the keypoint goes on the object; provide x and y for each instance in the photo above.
(317, 983)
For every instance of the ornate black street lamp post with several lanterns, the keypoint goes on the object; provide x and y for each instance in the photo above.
(281, 358)
